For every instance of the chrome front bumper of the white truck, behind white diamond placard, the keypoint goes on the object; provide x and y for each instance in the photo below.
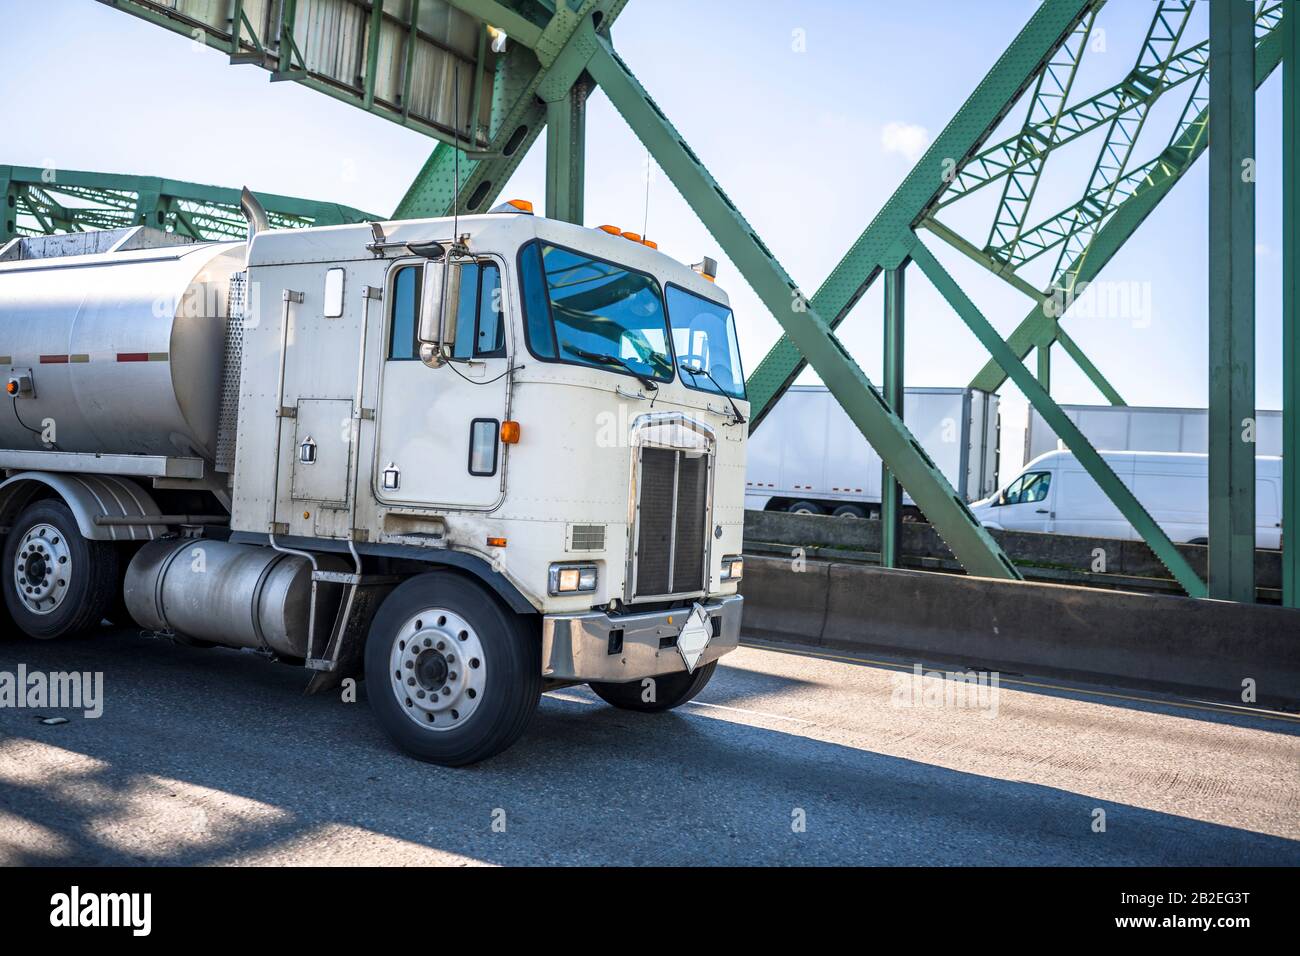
(595, 646)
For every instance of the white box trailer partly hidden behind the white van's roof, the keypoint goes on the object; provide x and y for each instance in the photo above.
(1145, 429)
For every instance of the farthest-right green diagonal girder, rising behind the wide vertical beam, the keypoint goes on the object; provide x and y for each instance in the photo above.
(1038, 328)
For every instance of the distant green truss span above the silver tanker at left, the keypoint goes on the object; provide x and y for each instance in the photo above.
(109, 201)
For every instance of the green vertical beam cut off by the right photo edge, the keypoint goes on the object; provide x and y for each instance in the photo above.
(1290, 309)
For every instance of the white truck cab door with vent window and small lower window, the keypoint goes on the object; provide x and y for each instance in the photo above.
(439, 430)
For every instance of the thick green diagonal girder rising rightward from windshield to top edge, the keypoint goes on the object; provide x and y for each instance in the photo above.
(1050, 27)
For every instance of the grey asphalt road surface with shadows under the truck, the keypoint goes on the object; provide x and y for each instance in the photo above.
(216, 758)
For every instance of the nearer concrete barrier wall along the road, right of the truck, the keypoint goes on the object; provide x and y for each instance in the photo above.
(1085, 634)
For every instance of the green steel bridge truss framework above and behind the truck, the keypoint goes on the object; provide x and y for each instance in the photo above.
(400, 59)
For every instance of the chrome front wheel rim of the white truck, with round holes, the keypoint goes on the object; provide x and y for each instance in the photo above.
(437, 669)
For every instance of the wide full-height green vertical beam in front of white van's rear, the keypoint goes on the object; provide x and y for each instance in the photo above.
(1232, 302)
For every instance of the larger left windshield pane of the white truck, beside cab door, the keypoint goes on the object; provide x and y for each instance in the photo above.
(593, 313)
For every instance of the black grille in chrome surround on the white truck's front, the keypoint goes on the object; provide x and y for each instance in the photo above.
(661, 568)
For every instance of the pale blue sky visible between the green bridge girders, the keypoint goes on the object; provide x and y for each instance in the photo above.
(809, 145)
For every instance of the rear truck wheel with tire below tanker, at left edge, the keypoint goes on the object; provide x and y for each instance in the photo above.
(57, 583)
